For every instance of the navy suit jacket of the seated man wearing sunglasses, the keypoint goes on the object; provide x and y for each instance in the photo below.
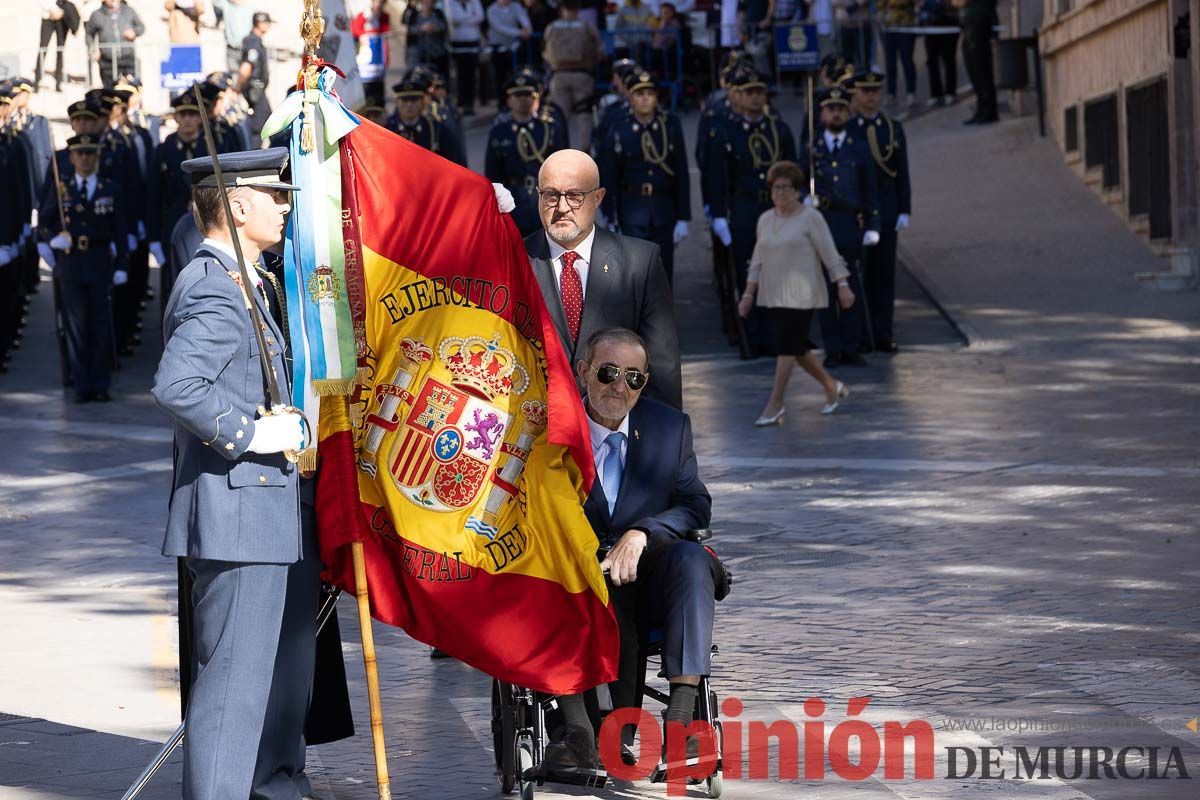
(661, 489)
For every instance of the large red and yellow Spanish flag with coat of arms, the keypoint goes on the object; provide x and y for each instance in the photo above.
(464, 459)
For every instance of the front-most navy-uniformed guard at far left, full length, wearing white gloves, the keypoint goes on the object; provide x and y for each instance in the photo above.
(82, 228)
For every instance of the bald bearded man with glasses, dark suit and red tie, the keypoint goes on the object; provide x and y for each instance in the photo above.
(593, 279)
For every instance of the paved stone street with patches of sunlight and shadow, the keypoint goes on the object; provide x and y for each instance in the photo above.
(997, 539)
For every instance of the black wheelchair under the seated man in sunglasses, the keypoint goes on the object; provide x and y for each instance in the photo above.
(520, 724)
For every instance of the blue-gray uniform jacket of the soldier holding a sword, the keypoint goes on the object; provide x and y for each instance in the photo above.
(226, 504)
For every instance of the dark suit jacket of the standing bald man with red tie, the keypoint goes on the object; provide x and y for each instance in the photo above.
(627, 287)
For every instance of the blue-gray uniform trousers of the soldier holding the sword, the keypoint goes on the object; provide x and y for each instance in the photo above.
(256, 637)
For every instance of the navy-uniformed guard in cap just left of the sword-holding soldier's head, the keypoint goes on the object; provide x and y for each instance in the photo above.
(172, 187)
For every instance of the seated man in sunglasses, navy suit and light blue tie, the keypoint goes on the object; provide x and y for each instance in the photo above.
(647, 497)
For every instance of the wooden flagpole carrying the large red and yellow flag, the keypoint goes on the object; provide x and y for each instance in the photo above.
(313, 29)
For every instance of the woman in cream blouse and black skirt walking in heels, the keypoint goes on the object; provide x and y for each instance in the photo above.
(794, 245)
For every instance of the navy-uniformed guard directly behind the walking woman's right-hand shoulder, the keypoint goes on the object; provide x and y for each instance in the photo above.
(848, 196)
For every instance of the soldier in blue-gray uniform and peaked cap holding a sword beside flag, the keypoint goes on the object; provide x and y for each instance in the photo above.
(236, 507)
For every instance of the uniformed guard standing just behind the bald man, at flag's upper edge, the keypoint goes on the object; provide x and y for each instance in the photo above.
(518, 145)
